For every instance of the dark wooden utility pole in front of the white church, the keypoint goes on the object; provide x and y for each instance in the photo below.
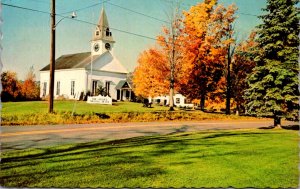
(52, 57)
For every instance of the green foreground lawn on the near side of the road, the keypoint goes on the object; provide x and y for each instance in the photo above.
(241, 158)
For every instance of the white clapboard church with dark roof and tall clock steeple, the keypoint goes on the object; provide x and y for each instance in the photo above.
(83, 72)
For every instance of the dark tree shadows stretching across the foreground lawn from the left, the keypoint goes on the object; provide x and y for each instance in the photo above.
(125, 158)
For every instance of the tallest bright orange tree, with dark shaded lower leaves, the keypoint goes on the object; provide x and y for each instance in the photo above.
(206, 29)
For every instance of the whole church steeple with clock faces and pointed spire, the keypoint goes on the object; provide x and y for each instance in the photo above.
(102, 39)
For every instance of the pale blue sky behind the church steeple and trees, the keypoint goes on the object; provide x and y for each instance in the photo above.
(26, 34)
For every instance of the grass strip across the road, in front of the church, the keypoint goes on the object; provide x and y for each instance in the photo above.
(35, 113)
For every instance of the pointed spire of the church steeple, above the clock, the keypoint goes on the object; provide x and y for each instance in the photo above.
(103, 31)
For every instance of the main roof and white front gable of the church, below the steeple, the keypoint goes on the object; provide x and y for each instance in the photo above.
(104, 62)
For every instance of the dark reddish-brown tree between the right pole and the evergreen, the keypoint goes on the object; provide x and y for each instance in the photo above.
(243, 63)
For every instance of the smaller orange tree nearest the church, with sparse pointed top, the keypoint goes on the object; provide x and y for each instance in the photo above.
(159, 69)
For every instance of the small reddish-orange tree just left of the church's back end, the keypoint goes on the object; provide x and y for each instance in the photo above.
(30, 89)
